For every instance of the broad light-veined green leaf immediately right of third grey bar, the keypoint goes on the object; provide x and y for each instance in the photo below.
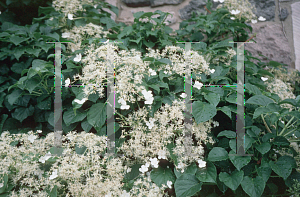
(203, 112)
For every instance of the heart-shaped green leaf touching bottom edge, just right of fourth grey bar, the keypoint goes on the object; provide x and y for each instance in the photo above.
(254, 187)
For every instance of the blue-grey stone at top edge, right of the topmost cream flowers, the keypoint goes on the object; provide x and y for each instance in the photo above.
(264, 8)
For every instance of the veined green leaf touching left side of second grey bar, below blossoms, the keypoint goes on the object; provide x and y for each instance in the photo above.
(97, 115)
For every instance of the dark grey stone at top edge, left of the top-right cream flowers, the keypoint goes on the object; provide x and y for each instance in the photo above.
(194, 5)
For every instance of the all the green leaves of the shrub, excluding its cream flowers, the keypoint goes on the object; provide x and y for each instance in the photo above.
(27, 95)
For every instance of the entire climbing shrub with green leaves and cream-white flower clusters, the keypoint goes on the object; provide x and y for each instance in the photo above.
(149, 79)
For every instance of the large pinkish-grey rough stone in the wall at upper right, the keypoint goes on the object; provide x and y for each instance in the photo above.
(270, 42)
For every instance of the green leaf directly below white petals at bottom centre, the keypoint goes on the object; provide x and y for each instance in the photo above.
(161, 175)
